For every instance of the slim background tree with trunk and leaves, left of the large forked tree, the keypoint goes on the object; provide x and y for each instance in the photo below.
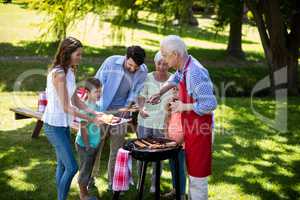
(231, 12)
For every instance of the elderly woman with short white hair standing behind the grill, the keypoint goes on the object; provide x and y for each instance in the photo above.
(151, 117)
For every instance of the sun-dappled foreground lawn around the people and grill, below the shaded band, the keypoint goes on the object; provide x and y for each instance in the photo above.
(251, 160)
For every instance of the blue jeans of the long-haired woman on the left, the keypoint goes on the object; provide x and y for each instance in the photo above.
(67, 167)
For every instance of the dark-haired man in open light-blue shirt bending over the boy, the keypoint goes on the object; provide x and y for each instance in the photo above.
(122, 78)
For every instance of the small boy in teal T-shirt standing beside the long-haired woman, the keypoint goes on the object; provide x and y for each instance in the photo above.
(88, 139)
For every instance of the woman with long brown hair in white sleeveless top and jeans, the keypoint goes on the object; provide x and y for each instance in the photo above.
(59, 112)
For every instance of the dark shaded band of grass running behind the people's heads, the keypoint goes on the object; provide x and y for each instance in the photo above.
(17, 59)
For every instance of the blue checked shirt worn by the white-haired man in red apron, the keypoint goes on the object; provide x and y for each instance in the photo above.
(199, 86)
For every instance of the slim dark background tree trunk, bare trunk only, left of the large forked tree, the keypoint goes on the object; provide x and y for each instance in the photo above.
(234, 47)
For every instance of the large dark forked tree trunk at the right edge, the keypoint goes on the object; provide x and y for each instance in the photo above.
(279, 29)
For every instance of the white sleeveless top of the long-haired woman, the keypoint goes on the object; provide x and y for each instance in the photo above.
(54, 114)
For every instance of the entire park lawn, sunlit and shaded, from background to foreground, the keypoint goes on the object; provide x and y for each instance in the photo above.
(252, 161)
